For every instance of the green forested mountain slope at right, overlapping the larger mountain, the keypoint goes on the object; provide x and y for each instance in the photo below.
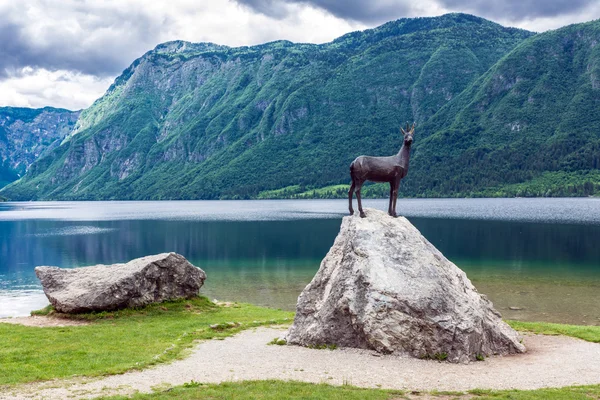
(529, 126)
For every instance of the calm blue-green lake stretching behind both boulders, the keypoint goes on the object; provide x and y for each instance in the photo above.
(539, 255)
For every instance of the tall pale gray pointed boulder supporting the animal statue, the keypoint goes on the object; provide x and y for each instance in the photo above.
(383, 286)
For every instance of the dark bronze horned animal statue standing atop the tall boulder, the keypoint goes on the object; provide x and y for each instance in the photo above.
(381, 169)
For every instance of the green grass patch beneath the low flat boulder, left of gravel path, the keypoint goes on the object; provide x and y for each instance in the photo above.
(121, 340)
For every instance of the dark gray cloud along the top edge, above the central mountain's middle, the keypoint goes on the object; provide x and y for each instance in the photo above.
(372, 11)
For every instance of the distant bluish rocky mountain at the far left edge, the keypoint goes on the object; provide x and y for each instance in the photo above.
(27, 134)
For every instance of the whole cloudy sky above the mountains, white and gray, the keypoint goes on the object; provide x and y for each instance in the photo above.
(65, 53)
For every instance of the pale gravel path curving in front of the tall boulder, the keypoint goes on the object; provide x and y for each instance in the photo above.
(551, 361)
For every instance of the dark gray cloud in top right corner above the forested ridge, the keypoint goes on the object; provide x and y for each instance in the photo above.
(518, 10)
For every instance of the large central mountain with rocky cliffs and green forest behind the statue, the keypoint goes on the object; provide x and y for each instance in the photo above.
(207, 121)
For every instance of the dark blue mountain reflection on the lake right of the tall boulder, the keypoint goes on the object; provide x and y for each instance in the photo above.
(527, 249)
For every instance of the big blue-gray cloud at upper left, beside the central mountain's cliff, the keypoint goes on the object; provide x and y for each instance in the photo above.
(105, 42)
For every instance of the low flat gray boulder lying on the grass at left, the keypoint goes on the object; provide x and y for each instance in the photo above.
(142, 281)
